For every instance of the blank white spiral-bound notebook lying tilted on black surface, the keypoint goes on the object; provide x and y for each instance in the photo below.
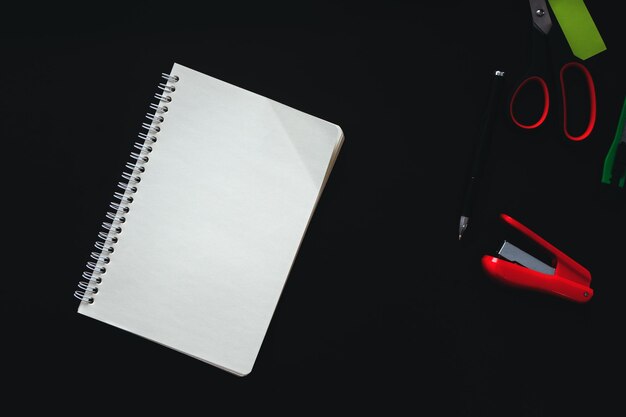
(208, 219)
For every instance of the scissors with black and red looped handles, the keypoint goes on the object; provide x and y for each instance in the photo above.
(538, 73)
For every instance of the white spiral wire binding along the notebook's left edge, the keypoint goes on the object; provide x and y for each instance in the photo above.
(96, 268)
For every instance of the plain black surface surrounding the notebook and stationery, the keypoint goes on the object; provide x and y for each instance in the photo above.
(385, 310)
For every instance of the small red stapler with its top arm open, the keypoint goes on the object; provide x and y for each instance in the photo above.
(564, 278)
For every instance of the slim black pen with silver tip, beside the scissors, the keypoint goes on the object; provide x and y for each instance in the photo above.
(482, 149)
